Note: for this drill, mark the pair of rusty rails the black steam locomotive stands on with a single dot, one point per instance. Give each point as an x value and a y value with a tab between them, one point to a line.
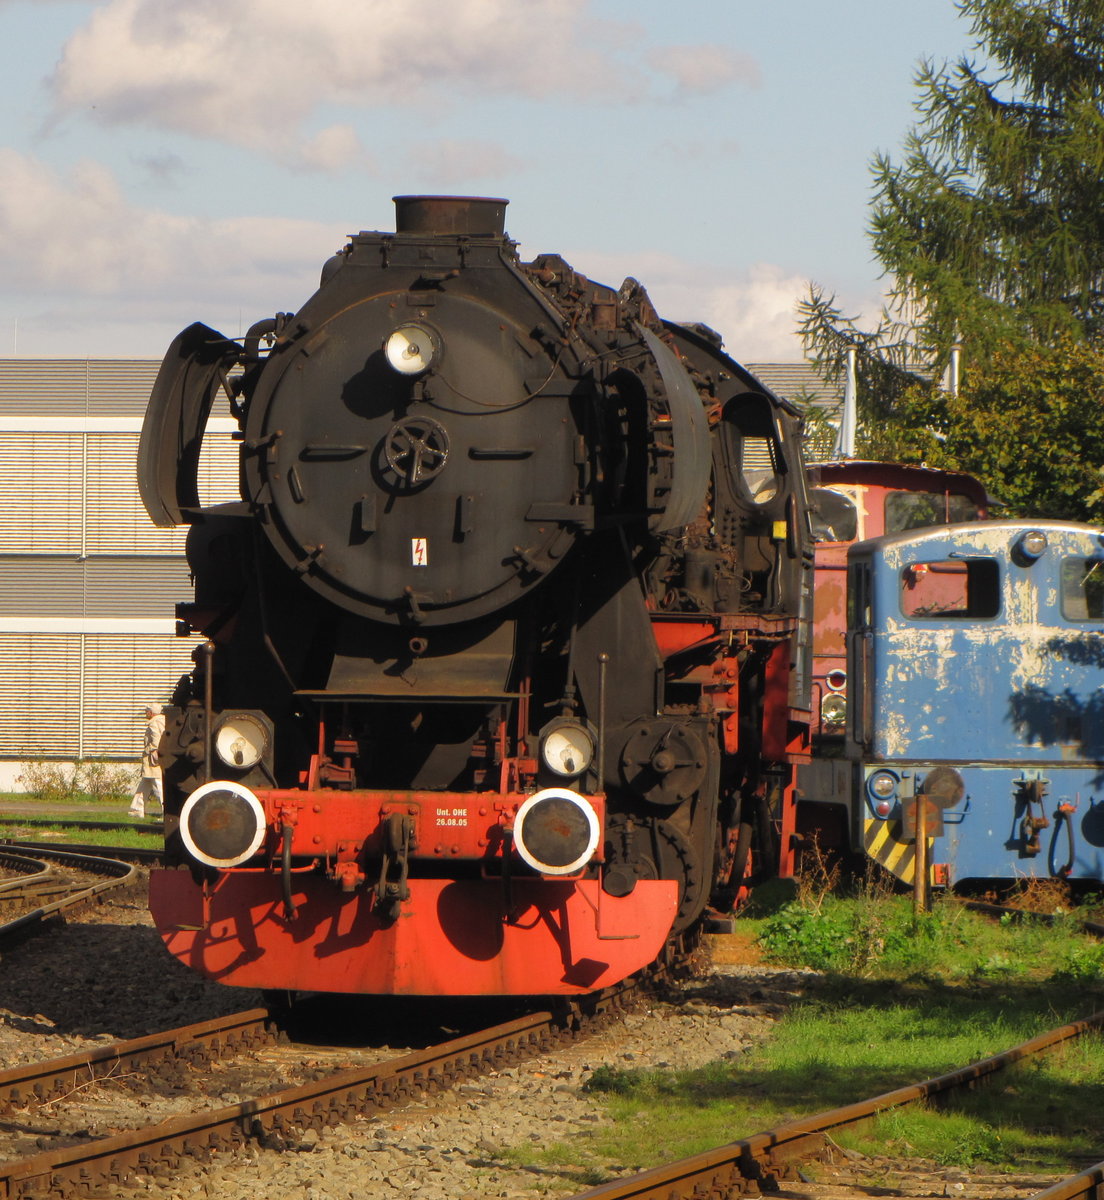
273	1120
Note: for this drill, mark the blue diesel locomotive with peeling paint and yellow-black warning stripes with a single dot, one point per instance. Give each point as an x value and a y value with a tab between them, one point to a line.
976	662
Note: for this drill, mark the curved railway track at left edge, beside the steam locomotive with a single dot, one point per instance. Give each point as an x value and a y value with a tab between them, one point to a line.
49	885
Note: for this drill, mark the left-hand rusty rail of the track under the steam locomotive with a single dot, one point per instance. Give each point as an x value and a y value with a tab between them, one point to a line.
199	1043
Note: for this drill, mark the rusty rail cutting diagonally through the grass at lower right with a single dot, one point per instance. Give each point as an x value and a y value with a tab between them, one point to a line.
740	1167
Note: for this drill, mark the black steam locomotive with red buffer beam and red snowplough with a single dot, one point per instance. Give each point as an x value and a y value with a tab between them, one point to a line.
506	643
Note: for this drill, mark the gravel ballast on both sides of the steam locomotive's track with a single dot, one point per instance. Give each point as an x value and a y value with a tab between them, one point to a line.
105	977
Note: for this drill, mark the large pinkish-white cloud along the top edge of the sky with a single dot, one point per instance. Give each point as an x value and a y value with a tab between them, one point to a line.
255	73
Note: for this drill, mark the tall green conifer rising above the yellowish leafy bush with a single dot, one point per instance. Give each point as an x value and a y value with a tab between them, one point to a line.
993	225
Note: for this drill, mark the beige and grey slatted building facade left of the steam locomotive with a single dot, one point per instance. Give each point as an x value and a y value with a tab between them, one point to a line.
88	585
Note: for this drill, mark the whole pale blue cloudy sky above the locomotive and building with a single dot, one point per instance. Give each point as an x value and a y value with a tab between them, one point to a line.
170	161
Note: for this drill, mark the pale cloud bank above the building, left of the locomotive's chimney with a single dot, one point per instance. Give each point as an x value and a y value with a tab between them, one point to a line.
80	256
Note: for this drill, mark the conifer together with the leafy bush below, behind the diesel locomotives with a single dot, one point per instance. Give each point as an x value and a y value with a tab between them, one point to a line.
991	230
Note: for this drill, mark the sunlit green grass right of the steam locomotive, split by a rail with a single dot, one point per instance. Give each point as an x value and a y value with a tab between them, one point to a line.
903	999
